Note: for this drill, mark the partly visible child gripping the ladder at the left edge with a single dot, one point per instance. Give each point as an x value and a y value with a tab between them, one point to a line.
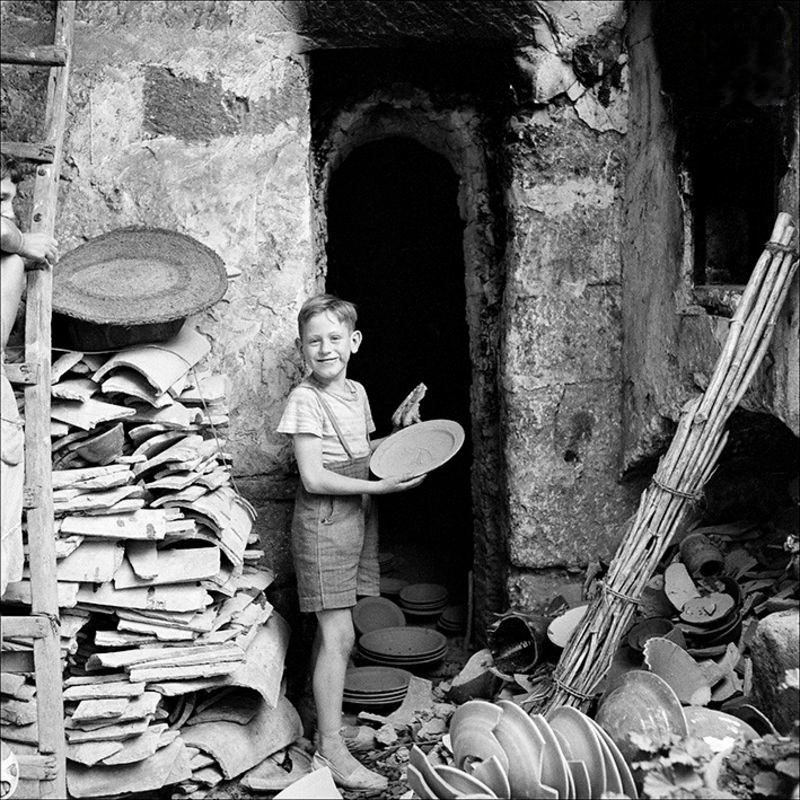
15	246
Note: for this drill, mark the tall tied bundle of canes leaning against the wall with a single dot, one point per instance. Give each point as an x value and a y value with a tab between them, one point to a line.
689	462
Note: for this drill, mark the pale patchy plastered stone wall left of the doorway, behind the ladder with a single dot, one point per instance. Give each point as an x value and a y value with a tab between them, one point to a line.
194	116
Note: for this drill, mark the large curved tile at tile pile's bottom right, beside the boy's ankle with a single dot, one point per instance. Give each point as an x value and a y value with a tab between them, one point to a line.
237	748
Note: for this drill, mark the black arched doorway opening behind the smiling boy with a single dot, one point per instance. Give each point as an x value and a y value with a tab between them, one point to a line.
395	250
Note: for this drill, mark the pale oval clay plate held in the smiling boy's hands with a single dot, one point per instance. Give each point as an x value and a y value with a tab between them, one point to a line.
417	449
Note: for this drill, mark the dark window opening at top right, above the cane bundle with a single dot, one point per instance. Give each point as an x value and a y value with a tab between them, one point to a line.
730	69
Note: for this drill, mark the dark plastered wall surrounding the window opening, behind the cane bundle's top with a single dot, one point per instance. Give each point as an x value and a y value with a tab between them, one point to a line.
669	354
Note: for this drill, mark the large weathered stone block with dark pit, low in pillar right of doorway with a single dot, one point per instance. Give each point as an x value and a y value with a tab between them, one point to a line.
565	504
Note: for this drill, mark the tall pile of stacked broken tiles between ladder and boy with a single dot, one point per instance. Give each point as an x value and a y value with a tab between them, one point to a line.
165	625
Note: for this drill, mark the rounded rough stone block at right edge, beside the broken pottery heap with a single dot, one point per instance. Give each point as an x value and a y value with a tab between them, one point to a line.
776	648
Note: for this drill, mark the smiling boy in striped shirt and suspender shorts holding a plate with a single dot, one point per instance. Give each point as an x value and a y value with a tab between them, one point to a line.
334	532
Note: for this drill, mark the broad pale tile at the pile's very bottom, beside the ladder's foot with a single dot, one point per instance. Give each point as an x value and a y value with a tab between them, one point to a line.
168	765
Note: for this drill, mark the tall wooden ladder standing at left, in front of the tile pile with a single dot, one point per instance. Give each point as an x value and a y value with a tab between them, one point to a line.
44	774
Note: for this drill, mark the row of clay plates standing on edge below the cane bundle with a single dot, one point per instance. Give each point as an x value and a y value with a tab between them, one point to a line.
514	754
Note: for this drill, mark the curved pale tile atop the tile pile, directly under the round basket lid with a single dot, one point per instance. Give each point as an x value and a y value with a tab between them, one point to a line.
161	365
